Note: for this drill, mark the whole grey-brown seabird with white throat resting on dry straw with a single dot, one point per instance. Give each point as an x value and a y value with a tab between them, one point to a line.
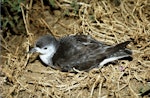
78	51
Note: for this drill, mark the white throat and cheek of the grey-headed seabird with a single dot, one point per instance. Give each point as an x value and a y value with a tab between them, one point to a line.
47	58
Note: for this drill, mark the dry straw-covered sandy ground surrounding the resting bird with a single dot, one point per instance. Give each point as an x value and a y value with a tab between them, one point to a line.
105	20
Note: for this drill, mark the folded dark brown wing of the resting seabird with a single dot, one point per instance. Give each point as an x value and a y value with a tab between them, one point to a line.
80	51
